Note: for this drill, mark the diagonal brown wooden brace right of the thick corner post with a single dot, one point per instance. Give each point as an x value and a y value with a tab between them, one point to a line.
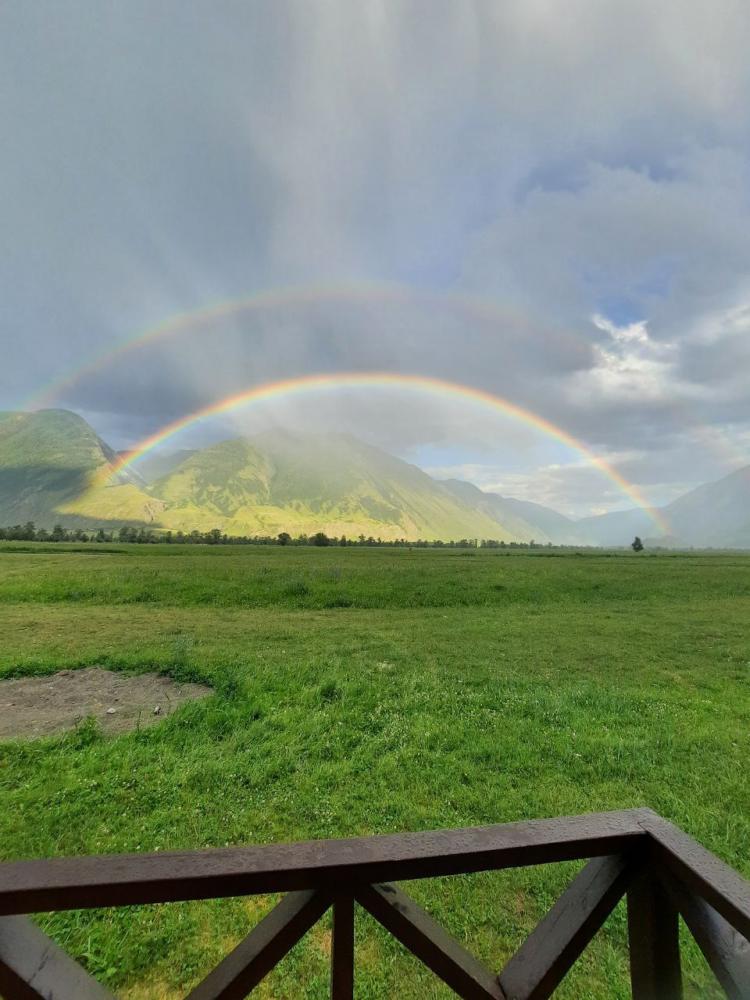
726	951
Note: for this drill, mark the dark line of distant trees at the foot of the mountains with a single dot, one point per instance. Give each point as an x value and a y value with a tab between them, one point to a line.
29	532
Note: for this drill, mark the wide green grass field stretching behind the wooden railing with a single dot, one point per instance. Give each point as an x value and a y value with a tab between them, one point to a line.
368	691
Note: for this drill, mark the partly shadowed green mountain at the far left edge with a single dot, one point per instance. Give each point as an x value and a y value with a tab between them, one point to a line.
48	462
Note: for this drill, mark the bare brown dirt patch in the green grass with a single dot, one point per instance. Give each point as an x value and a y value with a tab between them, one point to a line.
38	706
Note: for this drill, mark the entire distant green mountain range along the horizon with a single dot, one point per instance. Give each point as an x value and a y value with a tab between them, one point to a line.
302	483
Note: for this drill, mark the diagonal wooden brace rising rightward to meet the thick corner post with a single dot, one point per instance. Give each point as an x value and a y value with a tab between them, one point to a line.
547	954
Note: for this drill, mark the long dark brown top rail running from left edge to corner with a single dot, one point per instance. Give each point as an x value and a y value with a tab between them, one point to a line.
117	880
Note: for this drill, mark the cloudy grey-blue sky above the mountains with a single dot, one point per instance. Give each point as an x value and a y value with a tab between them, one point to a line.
545	201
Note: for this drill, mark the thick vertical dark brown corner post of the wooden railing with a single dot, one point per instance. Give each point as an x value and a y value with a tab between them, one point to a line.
653	928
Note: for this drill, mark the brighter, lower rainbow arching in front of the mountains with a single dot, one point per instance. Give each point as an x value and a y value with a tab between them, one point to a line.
379	380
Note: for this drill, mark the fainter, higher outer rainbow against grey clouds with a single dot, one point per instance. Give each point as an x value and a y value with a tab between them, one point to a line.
485	310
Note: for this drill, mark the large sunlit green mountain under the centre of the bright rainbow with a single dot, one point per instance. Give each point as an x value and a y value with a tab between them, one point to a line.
304	483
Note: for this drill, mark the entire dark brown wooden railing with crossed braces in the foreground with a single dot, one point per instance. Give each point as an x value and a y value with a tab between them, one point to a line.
662	871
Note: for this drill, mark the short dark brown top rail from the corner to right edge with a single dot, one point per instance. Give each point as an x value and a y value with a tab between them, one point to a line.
722	887
